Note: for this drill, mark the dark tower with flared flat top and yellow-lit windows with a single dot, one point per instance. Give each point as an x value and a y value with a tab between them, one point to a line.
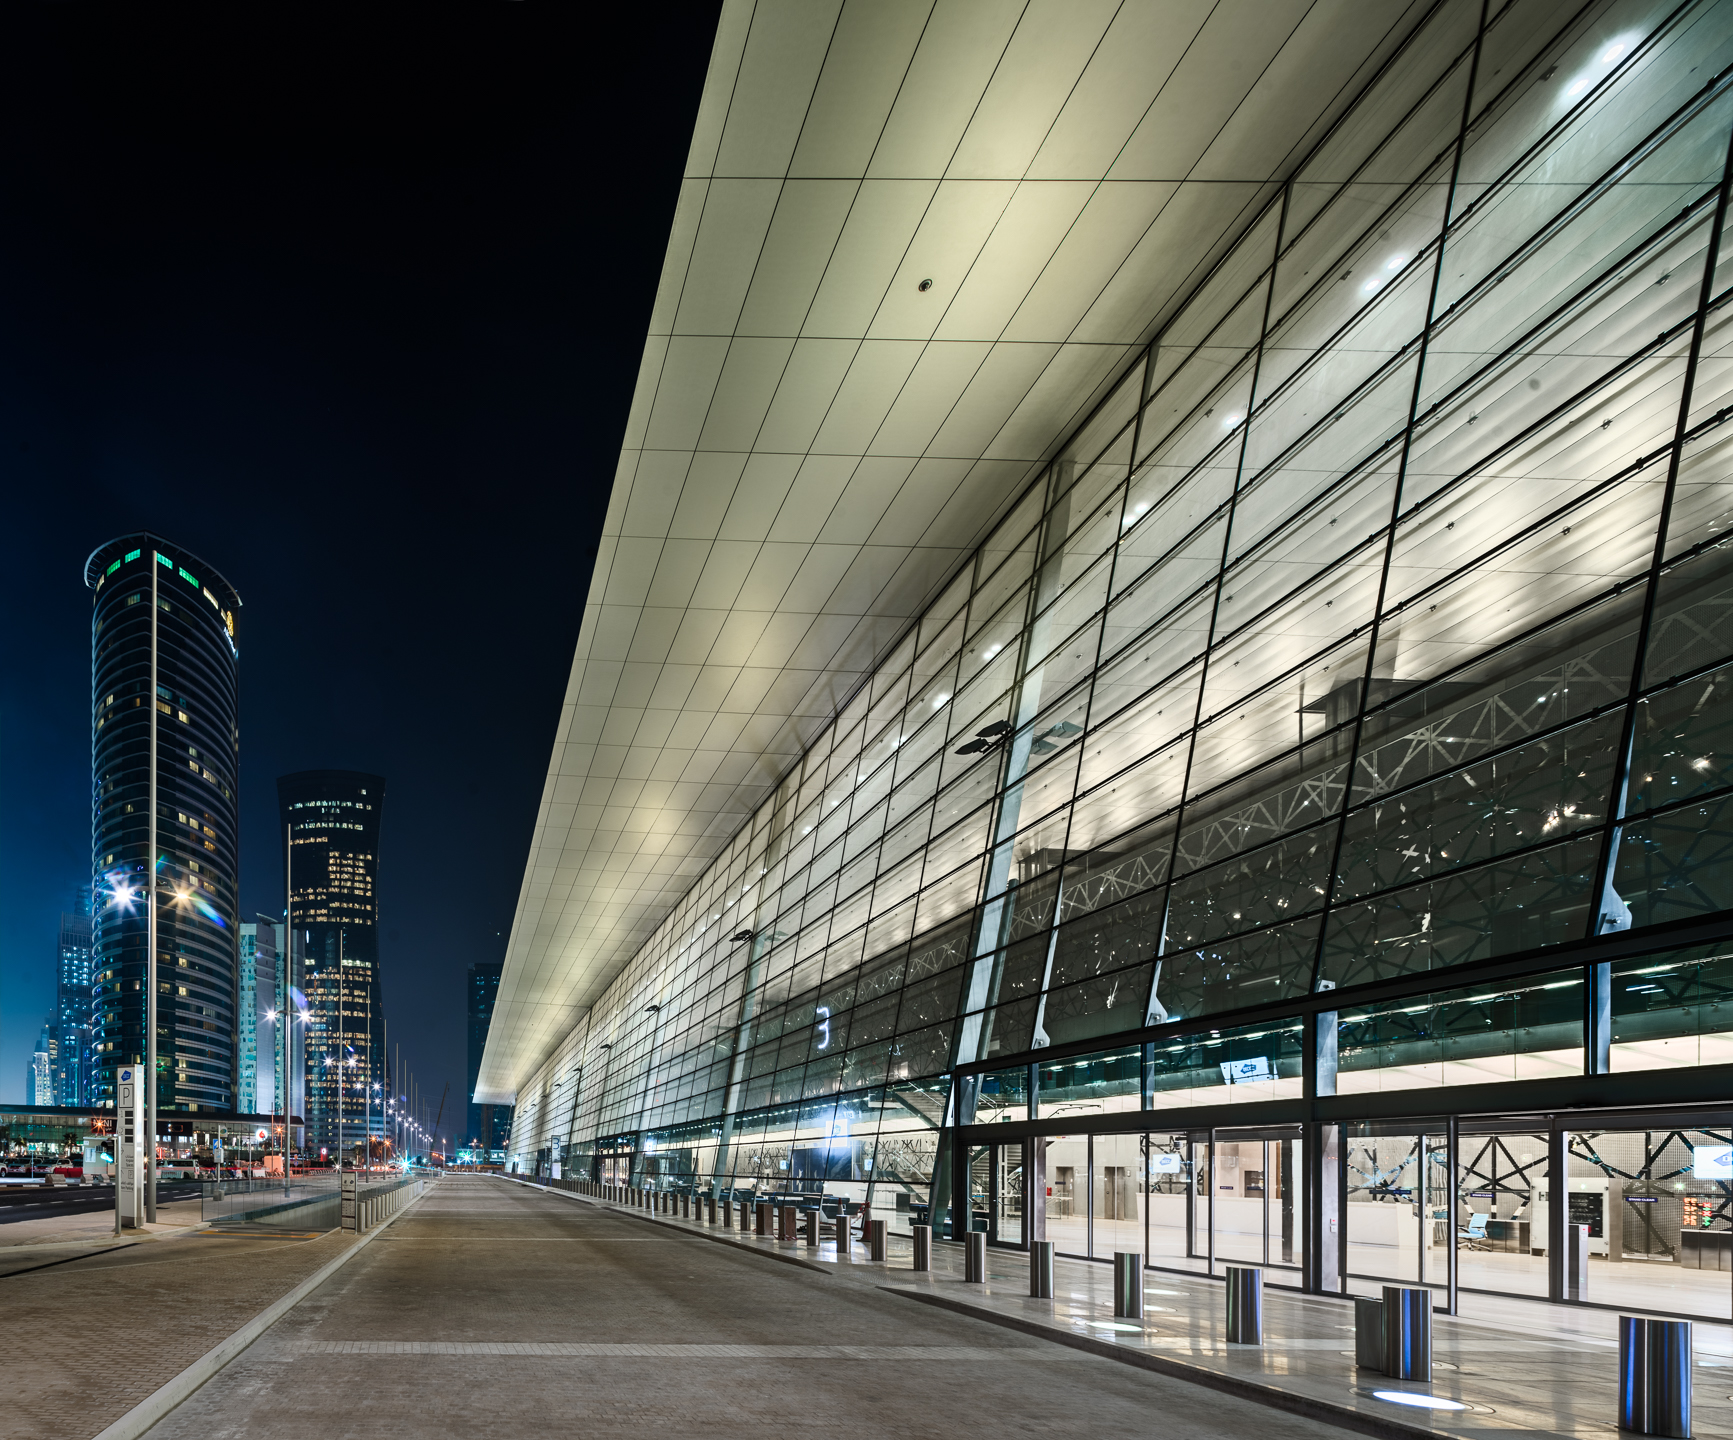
332	829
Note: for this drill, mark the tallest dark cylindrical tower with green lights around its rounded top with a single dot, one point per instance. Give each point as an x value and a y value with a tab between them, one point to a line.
166	737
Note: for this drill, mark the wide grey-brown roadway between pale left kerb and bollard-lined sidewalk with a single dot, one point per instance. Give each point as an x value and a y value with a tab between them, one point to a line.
490	1309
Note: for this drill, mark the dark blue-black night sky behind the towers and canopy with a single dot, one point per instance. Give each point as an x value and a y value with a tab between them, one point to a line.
349	301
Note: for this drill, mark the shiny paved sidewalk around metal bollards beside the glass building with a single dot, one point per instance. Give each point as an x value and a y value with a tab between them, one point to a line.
1516	1365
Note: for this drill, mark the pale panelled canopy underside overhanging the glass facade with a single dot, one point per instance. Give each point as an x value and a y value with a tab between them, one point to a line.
821	436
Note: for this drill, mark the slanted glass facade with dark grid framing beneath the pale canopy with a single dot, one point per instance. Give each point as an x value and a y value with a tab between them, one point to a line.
1337	717
